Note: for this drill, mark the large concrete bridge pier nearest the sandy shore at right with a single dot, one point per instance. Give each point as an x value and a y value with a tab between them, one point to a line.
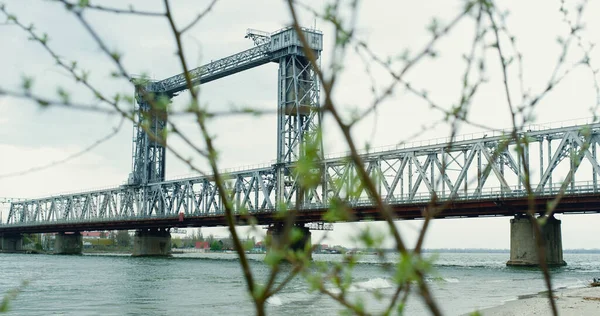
523	244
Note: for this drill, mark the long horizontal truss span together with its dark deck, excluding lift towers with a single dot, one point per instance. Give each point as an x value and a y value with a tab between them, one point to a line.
473	176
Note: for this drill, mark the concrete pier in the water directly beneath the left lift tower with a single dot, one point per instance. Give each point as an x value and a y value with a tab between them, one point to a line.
152	242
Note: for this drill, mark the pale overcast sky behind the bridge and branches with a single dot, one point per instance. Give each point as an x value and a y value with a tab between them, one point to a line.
31	136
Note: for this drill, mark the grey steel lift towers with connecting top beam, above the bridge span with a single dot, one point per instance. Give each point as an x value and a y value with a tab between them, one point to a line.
298	114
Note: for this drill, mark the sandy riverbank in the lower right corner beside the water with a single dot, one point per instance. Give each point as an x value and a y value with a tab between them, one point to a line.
569	302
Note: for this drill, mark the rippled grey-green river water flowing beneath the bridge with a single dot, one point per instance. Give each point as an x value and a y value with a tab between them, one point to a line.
212	284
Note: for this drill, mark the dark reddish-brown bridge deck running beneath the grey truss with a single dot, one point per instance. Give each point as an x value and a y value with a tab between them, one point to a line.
581	203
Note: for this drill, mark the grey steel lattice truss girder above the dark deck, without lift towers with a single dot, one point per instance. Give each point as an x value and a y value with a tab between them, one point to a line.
467	170
